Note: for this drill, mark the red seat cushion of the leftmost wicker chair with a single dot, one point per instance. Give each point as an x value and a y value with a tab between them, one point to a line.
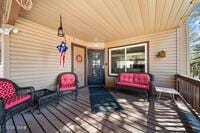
16	100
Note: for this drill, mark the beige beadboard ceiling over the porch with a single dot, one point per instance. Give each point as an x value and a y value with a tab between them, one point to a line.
109	20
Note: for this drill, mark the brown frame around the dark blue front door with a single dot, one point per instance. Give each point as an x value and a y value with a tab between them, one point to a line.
102	49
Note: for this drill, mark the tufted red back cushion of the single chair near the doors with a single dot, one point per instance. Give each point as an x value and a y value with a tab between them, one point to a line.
68	79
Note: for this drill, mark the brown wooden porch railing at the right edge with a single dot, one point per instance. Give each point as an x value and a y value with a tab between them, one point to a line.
189	89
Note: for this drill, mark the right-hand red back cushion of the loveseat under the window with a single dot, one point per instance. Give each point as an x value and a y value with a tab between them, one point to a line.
141	79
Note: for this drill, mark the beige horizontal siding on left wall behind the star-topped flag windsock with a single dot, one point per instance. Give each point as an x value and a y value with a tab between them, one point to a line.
33	56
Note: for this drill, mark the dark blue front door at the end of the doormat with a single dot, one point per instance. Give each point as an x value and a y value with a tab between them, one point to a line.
96	74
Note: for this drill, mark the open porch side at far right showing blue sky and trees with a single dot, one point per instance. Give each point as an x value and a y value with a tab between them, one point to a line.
194	42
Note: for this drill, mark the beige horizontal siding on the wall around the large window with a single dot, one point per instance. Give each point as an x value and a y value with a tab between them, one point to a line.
164	69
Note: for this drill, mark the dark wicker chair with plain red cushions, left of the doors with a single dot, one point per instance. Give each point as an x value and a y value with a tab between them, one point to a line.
67	81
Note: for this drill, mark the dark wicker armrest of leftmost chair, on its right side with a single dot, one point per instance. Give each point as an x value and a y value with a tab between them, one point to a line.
26	90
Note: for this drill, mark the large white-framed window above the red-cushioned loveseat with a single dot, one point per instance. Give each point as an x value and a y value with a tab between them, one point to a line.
130	58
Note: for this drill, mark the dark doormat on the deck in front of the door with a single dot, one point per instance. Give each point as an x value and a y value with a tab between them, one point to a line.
102	101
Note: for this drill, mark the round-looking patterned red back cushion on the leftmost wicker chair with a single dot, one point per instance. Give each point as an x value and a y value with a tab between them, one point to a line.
6	89
